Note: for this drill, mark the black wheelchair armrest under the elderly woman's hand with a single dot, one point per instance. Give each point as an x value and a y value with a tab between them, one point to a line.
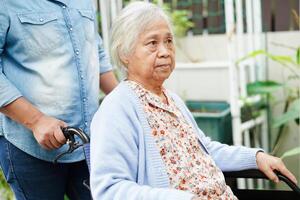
255	173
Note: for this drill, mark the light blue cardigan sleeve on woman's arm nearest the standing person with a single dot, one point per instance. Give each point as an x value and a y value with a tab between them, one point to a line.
114	156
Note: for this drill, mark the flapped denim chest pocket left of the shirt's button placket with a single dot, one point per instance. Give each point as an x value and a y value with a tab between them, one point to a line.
41	32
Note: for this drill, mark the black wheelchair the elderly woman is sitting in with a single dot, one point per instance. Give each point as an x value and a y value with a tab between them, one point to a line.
77	138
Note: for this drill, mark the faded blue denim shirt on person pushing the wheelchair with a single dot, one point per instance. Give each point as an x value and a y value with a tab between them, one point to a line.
51	54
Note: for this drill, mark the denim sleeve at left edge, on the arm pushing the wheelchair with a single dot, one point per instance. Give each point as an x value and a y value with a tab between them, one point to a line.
8	92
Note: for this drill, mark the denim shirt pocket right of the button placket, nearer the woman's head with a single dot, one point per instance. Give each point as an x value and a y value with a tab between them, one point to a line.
88	24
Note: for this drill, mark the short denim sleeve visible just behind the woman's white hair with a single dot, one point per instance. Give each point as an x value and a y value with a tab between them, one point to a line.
104	60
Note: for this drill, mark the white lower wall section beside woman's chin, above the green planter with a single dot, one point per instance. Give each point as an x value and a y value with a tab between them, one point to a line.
201	81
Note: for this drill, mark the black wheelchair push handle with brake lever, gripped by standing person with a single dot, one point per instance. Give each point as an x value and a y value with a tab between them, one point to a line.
70	133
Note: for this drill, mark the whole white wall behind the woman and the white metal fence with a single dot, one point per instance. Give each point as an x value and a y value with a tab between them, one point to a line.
208	79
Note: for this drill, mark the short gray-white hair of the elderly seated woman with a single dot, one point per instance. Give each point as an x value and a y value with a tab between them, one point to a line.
129	24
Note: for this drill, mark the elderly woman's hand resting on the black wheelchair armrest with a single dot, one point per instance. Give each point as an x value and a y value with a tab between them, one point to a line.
267	164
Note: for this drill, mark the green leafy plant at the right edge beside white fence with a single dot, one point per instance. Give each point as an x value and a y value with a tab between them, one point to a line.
292	99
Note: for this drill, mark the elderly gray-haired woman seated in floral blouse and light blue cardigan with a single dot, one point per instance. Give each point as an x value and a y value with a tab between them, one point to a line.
145	143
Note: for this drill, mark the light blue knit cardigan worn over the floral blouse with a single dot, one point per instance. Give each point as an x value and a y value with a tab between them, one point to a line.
125	162
